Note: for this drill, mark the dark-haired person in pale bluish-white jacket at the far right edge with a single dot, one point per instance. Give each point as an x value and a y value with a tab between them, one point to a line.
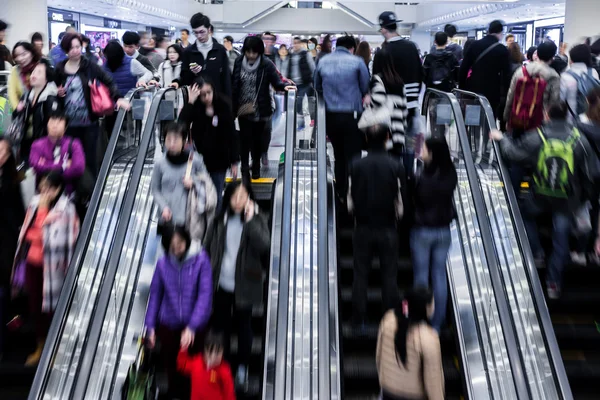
581	64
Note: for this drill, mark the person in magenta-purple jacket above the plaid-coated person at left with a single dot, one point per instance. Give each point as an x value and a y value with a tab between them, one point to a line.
55	152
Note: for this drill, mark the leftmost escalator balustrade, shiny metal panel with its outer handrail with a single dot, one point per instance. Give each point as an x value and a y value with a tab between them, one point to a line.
94	246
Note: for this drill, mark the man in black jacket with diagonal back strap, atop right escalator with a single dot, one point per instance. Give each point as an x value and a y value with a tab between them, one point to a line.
490	67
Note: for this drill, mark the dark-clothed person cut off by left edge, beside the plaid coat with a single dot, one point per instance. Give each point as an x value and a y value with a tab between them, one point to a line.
12	214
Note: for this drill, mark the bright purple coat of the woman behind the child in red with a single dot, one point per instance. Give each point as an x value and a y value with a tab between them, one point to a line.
181	294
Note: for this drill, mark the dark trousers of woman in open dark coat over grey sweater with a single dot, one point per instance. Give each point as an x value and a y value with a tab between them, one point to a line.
223	310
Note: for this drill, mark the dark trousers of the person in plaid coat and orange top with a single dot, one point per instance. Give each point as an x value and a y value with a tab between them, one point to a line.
34	282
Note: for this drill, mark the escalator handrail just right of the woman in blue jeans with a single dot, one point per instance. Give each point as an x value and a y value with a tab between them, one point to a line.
506	319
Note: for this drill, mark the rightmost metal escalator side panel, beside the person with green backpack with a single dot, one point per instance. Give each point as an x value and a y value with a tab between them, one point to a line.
544	366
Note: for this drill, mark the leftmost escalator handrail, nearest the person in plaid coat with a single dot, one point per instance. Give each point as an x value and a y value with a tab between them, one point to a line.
60	313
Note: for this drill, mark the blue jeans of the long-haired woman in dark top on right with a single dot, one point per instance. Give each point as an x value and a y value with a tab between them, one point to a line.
429	247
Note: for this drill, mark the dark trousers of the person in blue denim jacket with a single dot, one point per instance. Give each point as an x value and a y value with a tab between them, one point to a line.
347	140
